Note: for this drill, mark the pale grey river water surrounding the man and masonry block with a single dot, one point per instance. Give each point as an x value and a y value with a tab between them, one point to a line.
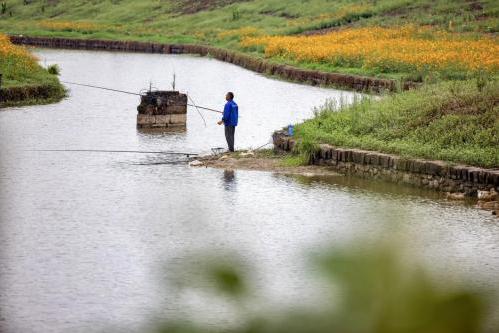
86	237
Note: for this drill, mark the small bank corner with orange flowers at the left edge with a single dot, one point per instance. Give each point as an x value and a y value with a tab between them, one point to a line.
23	78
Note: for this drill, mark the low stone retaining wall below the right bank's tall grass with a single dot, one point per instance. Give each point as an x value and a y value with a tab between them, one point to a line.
436	175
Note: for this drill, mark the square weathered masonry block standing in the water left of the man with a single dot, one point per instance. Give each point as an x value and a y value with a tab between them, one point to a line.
162	109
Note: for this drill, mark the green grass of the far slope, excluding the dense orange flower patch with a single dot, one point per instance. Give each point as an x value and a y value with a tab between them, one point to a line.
166	21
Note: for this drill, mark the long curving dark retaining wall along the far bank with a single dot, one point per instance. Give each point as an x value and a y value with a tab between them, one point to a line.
358	83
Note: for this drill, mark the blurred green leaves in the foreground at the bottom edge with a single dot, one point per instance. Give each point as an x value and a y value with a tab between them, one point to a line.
374	289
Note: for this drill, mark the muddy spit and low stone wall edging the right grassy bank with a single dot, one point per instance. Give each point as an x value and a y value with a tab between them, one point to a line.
479	186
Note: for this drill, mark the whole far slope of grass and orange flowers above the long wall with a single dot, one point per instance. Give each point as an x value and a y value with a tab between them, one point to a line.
229	23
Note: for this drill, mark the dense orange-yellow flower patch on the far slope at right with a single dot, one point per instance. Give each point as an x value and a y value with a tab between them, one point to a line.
386	49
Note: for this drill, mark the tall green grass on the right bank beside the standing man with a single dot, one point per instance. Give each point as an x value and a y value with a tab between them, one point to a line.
451	121
